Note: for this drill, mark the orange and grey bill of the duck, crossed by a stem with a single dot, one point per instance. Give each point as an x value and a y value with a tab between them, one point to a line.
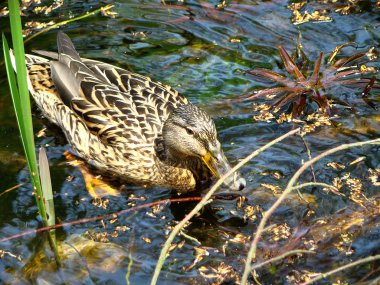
218	165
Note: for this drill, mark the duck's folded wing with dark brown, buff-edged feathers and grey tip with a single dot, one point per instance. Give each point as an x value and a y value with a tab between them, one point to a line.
118	106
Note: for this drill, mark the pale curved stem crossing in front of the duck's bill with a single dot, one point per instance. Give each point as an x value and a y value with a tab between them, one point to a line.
205	201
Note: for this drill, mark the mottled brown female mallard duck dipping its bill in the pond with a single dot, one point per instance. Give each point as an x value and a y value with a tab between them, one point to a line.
125	123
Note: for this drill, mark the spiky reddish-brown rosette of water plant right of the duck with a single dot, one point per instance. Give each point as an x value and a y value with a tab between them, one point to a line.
306	82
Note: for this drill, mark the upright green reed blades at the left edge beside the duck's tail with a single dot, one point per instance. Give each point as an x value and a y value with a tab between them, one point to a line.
20	96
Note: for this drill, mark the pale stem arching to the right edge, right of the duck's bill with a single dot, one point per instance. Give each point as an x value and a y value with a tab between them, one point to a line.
289	188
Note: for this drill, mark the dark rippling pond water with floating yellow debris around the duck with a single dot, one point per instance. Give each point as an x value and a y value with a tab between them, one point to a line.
204	52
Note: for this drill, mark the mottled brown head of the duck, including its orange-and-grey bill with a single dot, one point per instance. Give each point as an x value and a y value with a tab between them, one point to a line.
190	133
